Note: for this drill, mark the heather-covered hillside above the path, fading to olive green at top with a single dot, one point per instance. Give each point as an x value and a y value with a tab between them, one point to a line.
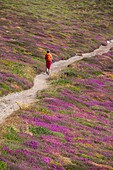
29	28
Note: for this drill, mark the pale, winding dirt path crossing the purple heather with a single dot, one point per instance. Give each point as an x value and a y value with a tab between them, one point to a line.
15	101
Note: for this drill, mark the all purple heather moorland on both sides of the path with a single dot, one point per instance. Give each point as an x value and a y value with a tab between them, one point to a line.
70	127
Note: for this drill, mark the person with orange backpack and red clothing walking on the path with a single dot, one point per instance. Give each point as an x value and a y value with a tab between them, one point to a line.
48	58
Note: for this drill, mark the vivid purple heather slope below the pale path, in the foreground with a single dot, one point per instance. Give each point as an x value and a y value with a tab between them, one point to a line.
69	127
